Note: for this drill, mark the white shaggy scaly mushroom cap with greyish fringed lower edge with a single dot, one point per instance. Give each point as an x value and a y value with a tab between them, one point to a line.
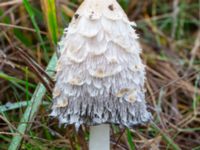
100	76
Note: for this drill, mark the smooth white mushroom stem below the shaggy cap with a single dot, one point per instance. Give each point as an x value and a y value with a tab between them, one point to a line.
99	137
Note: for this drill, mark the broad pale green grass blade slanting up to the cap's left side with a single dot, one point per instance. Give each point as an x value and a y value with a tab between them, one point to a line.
31	111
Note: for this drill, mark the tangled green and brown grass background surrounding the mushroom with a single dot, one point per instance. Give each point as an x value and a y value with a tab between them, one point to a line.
170	37
